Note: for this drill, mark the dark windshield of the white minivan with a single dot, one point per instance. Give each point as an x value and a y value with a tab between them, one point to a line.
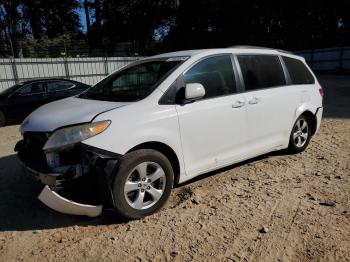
133	83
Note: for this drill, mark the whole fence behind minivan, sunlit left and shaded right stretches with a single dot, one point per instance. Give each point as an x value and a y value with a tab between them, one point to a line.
90	70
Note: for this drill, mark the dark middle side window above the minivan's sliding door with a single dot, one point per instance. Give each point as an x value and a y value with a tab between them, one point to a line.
261	71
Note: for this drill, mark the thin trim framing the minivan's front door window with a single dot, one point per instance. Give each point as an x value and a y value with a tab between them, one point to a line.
180	78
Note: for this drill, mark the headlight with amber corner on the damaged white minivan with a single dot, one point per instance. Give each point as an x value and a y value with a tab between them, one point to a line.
68	136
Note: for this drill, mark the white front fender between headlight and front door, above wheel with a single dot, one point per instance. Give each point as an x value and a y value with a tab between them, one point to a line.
137	125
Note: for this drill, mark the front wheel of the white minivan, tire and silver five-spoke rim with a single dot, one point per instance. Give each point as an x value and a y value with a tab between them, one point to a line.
135	198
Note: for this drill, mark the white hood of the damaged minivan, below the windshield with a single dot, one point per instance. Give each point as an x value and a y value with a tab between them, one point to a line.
65	112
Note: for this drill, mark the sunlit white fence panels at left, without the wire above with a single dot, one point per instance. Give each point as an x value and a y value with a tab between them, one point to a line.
88	70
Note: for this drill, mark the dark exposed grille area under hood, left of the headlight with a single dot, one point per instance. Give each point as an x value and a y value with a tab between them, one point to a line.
32	151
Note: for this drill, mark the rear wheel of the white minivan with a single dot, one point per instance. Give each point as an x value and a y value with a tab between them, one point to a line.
300	136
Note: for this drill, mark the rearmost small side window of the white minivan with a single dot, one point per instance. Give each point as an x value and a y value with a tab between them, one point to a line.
298	72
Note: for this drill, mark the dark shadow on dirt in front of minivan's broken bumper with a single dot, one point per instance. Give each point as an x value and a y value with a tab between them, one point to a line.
21	210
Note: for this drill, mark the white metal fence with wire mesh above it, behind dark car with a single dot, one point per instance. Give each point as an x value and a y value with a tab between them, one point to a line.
28	59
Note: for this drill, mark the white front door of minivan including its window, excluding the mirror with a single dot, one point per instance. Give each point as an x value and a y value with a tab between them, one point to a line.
213	129
